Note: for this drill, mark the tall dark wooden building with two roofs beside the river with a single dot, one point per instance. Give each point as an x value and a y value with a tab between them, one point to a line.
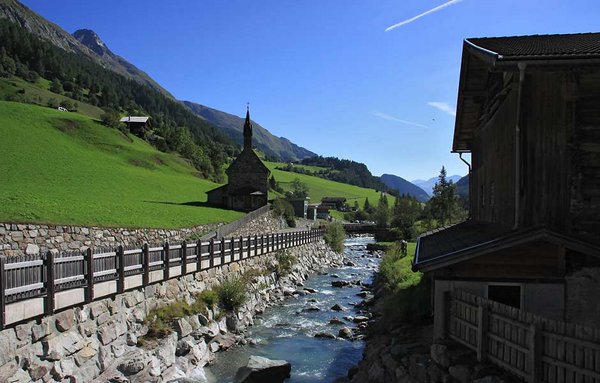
528	112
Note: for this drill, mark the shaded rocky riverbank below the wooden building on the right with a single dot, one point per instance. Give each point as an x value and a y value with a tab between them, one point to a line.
404	353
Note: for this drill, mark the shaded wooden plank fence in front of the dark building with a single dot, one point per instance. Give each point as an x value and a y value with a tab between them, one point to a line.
534	348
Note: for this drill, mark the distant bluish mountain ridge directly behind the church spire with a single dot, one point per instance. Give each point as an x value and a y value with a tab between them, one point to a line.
273	147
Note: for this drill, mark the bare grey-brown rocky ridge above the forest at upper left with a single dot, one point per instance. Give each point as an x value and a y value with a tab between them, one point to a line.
34	23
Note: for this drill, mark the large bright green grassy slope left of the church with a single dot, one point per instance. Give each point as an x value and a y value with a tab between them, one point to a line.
60	167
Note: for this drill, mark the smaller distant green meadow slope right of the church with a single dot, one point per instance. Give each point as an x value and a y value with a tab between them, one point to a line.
319	187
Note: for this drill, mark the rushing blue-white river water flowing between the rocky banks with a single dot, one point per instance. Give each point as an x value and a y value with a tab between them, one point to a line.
286	332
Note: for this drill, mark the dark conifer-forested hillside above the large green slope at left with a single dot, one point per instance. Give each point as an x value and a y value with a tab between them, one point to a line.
175	128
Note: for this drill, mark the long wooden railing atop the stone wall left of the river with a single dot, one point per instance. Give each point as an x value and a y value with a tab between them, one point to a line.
31	286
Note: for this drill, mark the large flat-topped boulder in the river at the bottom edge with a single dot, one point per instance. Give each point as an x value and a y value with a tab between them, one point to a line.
263	370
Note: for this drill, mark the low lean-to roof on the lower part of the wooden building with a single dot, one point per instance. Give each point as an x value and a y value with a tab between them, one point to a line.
472	239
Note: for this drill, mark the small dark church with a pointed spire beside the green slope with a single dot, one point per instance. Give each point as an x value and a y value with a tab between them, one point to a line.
248	179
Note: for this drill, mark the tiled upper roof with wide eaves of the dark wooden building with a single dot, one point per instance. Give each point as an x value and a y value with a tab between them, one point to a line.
484	55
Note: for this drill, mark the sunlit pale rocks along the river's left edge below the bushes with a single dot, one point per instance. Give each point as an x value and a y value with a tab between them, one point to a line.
184	353
